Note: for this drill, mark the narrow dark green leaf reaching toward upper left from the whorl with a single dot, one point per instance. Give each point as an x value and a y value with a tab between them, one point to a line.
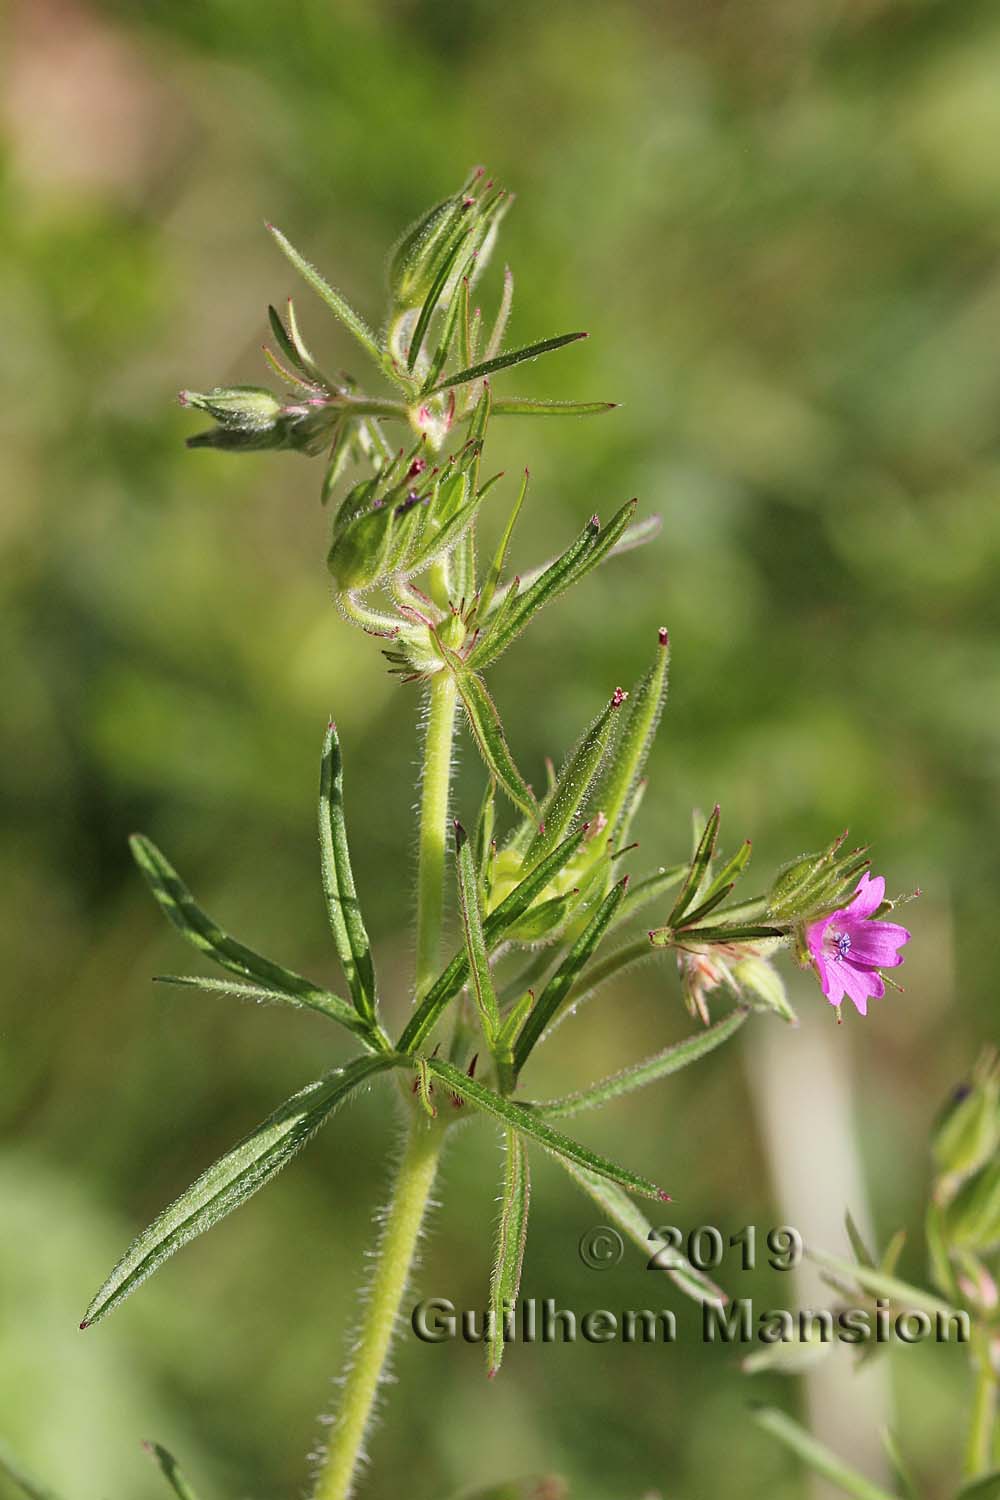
181	908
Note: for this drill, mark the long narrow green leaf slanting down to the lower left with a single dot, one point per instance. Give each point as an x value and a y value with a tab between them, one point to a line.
233	1180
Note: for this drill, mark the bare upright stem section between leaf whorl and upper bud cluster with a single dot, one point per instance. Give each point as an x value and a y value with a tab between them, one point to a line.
434	827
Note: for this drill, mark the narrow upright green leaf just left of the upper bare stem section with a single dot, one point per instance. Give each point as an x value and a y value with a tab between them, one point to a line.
344	911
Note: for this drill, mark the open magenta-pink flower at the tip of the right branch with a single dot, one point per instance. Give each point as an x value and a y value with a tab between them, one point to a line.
851	947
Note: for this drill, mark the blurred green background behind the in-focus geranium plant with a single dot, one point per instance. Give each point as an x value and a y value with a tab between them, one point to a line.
782	227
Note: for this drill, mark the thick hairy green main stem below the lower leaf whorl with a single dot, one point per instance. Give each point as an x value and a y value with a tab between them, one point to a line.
404	1220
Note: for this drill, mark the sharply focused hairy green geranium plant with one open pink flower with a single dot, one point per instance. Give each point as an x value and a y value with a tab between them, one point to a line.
548	908
